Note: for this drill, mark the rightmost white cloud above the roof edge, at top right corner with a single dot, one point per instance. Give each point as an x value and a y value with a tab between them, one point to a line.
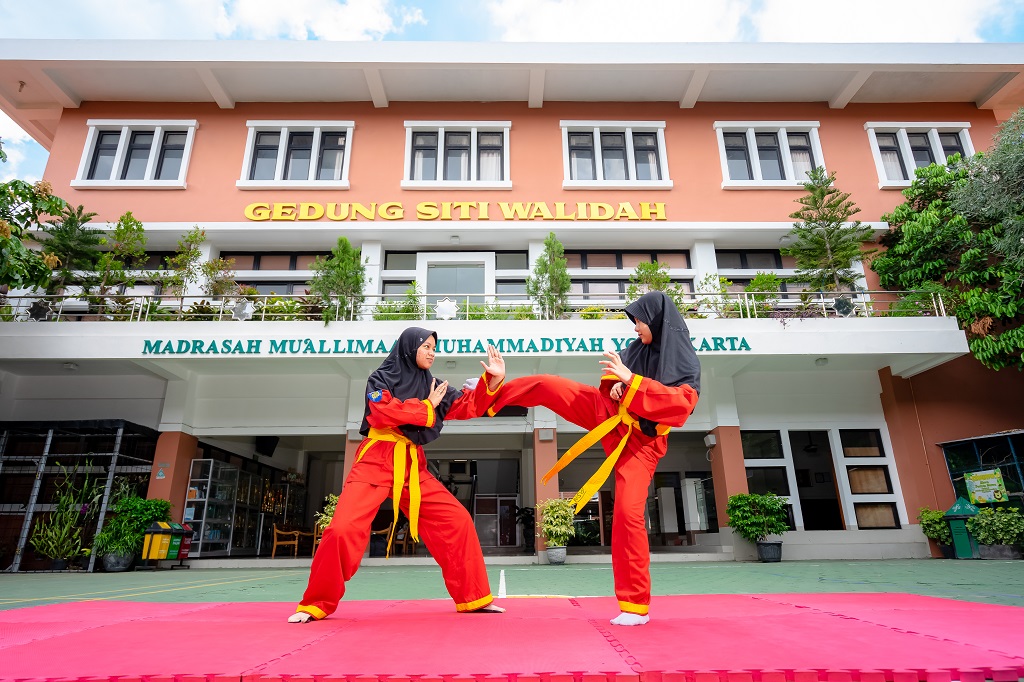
879	21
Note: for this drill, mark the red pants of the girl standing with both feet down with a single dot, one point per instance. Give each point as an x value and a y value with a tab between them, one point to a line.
446	529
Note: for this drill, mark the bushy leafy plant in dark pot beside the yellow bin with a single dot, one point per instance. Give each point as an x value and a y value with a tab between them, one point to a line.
122	536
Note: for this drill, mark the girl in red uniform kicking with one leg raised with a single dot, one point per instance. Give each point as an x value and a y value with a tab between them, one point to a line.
653	387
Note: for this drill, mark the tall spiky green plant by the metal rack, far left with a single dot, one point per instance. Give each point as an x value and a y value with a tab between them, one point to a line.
59	536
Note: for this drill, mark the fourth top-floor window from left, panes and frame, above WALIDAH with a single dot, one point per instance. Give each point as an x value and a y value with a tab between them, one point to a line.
615	155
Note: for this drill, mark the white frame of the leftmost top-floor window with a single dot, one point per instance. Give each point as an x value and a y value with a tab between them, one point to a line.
126	129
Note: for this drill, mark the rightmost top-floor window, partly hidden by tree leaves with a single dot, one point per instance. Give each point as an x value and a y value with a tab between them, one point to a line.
899	149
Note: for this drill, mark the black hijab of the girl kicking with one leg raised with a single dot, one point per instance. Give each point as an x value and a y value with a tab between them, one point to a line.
670	358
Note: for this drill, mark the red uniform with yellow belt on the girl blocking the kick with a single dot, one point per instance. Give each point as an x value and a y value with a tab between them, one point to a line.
382	462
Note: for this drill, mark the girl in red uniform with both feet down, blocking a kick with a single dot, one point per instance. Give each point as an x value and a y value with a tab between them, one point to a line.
406	409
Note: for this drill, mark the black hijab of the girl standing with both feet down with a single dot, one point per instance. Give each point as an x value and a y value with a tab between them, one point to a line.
400	375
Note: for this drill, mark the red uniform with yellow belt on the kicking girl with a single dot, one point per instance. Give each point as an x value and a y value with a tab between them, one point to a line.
634	460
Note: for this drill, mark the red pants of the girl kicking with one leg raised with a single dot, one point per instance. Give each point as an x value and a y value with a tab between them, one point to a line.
585	407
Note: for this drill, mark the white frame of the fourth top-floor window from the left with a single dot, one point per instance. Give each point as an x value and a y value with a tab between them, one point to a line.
627	127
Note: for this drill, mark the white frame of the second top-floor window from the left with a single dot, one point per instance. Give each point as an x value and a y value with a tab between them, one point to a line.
318	129
